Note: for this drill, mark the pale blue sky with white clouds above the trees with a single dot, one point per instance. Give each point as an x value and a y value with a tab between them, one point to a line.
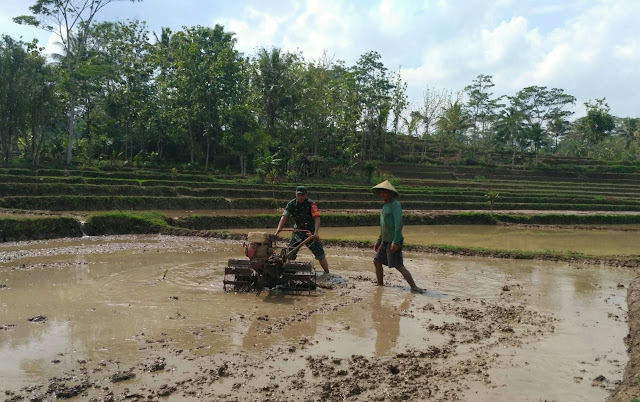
589	48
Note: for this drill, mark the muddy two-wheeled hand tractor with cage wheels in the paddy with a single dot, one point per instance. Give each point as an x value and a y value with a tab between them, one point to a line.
265	268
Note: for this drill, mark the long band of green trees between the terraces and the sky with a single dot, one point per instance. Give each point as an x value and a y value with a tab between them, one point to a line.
115	96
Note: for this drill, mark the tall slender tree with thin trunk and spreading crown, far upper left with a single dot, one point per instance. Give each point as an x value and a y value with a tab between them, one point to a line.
70	20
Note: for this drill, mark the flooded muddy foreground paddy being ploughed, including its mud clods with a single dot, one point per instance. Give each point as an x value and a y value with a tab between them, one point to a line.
143	317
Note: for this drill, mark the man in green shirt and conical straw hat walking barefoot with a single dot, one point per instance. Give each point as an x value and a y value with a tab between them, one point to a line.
388	248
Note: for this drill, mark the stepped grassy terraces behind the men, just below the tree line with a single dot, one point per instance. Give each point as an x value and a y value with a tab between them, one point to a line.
421	189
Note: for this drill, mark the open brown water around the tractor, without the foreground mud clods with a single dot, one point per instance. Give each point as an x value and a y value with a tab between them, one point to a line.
105	299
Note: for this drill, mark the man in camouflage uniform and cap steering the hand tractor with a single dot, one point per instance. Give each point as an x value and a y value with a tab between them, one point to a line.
306	216
